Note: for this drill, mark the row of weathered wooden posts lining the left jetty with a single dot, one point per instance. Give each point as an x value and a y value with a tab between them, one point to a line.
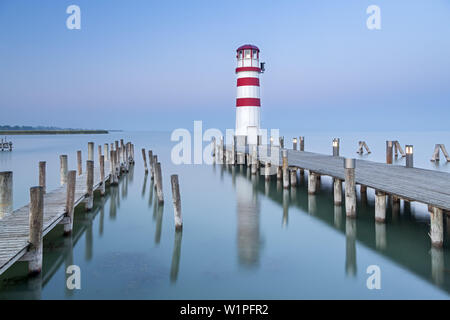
121	156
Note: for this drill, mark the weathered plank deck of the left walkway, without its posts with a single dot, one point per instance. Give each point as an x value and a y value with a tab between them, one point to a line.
14	227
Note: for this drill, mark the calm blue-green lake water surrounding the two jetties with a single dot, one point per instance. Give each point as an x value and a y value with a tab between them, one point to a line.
242	237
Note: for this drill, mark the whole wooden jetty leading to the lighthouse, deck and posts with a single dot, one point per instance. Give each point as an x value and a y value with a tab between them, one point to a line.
389	181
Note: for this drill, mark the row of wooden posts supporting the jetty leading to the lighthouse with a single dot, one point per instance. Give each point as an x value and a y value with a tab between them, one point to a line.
288	175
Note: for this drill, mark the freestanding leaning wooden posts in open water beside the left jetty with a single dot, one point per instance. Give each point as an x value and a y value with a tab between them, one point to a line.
156	175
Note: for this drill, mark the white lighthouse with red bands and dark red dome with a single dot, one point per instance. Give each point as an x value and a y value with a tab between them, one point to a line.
248	102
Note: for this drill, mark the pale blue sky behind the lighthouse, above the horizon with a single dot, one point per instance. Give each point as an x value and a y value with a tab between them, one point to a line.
146	65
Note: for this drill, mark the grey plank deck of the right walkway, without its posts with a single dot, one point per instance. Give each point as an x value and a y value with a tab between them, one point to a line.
414	184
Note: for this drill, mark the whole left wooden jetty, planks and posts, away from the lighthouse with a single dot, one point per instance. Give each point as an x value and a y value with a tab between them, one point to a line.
22	232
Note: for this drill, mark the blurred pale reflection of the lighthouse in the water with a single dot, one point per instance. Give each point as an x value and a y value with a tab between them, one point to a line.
248	235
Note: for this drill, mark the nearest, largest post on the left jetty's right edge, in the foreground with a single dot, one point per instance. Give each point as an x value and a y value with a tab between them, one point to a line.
36	222
